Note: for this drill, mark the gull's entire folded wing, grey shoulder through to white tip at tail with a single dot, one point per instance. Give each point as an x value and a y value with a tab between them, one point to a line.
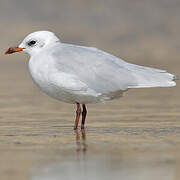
105	73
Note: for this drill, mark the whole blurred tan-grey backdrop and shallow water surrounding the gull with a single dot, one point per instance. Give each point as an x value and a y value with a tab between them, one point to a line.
136	137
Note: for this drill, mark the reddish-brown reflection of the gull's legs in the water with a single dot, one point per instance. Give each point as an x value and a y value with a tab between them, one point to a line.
81	140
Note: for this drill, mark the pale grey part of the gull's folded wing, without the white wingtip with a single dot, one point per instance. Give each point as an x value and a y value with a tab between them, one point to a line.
100	71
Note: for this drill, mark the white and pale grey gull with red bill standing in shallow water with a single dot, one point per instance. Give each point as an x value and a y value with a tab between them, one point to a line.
82	75
